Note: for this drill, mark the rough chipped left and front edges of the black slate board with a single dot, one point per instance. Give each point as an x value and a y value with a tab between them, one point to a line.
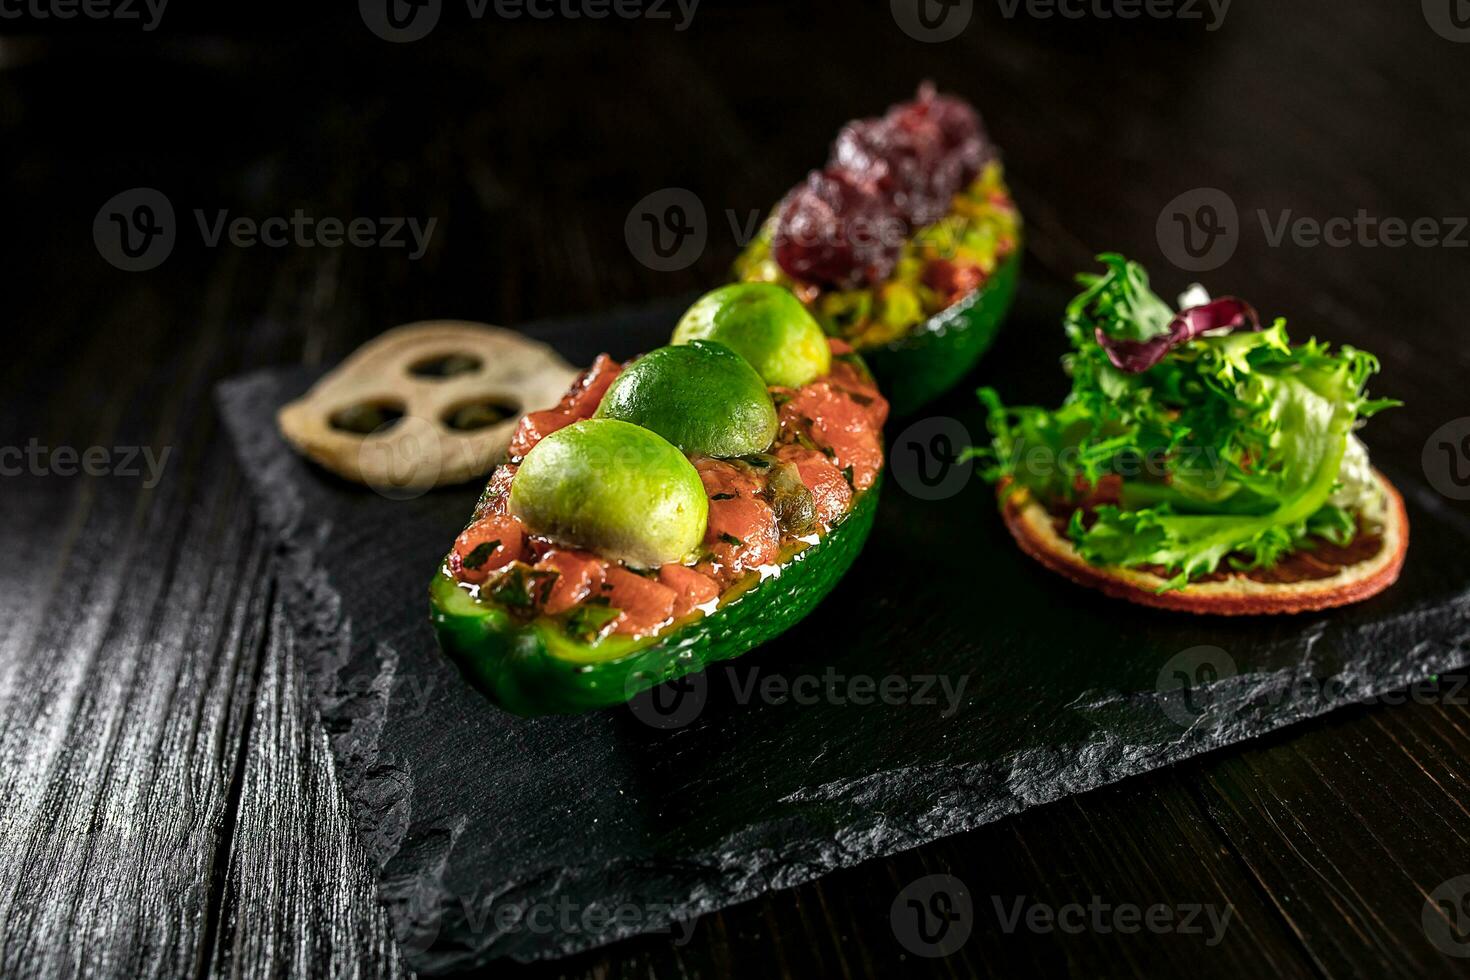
749	865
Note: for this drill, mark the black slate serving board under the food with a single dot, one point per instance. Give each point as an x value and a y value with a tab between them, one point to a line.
501	837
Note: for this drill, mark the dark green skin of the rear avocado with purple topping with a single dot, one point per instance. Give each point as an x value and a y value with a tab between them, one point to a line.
927	362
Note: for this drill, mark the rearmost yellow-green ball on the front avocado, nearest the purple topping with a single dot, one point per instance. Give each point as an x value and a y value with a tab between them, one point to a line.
767	325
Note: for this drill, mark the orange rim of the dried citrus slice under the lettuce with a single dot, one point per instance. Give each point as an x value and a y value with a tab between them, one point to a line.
1237	594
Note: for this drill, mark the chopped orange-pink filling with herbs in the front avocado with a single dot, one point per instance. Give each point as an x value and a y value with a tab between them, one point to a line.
831	440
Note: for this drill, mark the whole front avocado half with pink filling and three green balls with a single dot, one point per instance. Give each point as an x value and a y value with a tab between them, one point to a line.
668	514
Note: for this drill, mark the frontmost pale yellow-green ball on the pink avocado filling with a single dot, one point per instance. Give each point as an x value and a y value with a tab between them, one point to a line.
614	489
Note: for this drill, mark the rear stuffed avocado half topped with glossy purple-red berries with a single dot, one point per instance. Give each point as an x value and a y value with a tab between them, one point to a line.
906	246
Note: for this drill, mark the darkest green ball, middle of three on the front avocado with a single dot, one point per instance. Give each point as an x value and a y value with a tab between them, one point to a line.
703	397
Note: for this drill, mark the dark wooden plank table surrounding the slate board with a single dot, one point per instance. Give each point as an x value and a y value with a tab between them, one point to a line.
167	801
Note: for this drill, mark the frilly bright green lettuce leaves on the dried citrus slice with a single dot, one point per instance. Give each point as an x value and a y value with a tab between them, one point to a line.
1227	452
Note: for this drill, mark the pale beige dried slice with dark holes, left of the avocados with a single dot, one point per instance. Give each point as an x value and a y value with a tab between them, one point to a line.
426	405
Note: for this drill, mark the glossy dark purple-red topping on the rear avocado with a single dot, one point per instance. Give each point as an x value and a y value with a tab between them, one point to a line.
886	177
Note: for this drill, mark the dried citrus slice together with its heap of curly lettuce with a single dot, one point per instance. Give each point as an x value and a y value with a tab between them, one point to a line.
1202	462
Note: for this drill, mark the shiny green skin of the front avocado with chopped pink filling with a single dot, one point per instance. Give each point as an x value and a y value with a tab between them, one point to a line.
539	669
